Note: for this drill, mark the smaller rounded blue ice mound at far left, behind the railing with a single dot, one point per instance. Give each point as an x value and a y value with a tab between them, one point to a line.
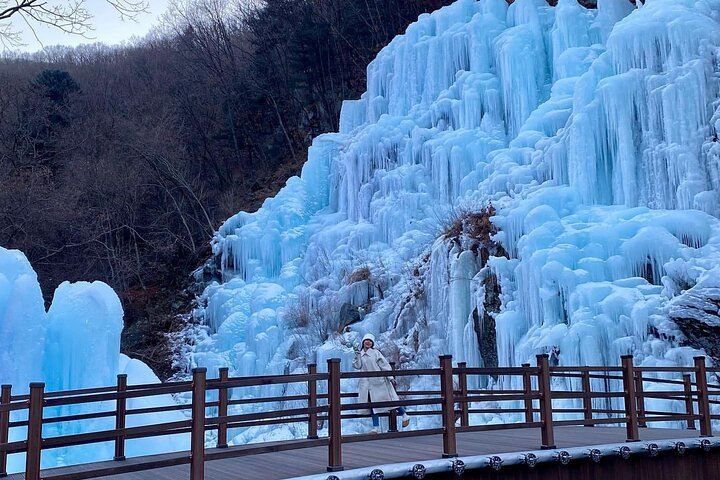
74	345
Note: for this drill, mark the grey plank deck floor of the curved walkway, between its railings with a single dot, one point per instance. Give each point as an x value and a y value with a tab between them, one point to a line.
313	460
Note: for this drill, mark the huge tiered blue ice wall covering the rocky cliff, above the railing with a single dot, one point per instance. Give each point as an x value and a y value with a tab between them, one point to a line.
592	132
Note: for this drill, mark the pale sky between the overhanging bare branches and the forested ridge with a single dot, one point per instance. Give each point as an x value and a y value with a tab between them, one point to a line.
109	28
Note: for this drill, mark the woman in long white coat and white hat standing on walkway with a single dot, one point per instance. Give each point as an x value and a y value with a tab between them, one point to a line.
376	389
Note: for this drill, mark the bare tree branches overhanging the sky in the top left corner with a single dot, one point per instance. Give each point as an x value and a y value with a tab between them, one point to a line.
69	16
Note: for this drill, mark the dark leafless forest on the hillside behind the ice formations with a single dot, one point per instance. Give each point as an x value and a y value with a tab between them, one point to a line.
118	163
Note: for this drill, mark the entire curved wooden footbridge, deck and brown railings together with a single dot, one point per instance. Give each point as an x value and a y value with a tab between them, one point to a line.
545	420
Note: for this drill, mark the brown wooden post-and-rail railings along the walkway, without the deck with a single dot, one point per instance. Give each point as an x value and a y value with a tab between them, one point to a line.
528	407
